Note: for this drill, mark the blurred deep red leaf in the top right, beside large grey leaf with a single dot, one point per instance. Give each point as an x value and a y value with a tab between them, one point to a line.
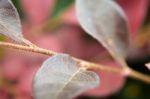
136	12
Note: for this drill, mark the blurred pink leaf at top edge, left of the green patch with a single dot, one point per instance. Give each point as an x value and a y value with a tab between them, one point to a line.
37	11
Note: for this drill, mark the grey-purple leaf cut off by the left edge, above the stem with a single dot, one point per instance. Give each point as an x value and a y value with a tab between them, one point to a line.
10	24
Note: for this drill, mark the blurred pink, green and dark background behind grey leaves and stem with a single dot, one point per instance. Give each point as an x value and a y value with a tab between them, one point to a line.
52	24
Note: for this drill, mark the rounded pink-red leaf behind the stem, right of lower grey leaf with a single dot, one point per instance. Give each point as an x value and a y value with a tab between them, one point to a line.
110	83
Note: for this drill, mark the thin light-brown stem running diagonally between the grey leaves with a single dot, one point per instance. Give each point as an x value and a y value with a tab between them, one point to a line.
88	65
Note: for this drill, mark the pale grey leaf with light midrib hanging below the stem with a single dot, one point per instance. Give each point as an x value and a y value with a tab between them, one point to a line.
60	77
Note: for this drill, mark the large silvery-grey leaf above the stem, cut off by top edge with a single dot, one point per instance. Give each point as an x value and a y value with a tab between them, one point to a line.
106	22
